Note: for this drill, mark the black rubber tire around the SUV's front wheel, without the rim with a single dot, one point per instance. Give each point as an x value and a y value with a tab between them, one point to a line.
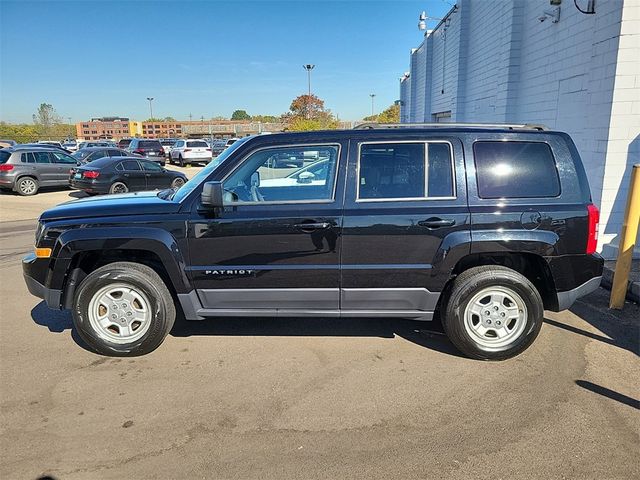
152	338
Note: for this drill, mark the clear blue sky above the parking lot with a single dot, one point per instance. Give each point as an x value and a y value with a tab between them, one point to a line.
207	58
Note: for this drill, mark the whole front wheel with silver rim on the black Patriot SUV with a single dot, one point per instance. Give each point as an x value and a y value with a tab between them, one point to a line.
145	303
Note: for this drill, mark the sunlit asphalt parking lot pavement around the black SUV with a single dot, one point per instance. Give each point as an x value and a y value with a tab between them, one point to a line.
310	398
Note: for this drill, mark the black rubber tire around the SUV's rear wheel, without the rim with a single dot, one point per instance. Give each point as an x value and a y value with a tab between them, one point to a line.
460	299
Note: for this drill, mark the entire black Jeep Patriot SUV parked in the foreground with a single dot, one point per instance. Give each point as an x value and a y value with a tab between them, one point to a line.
481	226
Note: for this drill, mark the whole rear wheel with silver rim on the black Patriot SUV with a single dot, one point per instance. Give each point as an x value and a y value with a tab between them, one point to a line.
515	313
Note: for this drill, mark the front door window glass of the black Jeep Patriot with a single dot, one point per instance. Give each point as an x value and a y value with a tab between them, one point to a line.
280	175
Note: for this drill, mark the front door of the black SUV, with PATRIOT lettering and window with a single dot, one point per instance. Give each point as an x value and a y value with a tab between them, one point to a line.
275	248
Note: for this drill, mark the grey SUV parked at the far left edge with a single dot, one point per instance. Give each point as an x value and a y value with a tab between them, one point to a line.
26	169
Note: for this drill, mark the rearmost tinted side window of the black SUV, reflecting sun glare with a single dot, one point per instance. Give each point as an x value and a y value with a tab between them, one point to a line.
515	170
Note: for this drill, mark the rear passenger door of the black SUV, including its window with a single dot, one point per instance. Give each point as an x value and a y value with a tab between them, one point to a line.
405	207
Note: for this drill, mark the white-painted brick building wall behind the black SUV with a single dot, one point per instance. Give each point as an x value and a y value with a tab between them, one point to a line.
535	61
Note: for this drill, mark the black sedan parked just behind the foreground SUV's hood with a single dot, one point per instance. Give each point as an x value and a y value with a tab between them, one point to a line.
122	175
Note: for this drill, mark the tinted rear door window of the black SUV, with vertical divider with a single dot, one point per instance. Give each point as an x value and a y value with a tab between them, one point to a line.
405	171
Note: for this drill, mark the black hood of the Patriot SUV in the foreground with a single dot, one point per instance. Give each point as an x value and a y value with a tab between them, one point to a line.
138	203
